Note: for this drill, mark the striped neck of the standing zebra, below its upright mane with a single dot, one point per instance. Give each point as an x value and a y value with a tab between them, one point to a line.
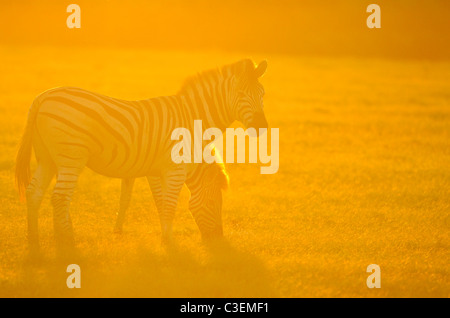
207	96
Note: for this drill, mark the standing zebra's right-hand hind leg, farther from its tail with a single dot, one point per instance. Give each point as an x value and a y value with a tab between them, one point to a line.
66	181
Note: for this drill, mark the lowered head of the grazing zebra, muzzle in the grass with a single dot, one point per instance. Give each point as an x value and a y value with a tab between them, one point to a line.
205	203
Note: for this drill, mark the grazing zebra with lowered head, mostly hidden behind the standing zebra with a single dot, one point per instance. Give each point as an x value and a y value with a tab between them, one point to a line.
205	183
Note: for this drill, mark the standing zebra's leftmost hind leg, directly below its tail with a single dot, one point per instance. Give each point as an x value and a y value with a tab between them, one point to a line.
35	192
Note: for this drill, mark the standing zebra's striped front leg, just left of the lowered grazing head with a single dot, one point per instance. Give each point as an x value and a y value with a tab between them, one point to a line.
172	182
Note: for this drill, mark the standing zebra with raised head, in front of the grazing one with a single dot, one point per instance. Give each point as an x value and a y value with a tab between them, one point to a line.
71	128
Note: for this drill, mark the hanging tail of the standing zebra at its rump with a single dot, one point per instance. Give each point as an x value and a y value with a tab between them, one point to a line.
23	173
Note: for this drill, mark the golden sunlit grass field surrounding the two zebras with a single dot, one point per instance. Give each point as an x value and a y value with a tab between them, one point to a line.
364	178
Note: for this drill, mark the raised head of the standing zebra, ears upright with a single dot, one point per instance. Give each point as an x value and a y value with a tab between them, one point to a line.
248	107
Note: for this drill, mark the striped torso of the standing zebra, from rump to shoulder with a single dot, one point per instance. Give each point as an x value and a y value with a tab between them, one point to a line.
114	137
